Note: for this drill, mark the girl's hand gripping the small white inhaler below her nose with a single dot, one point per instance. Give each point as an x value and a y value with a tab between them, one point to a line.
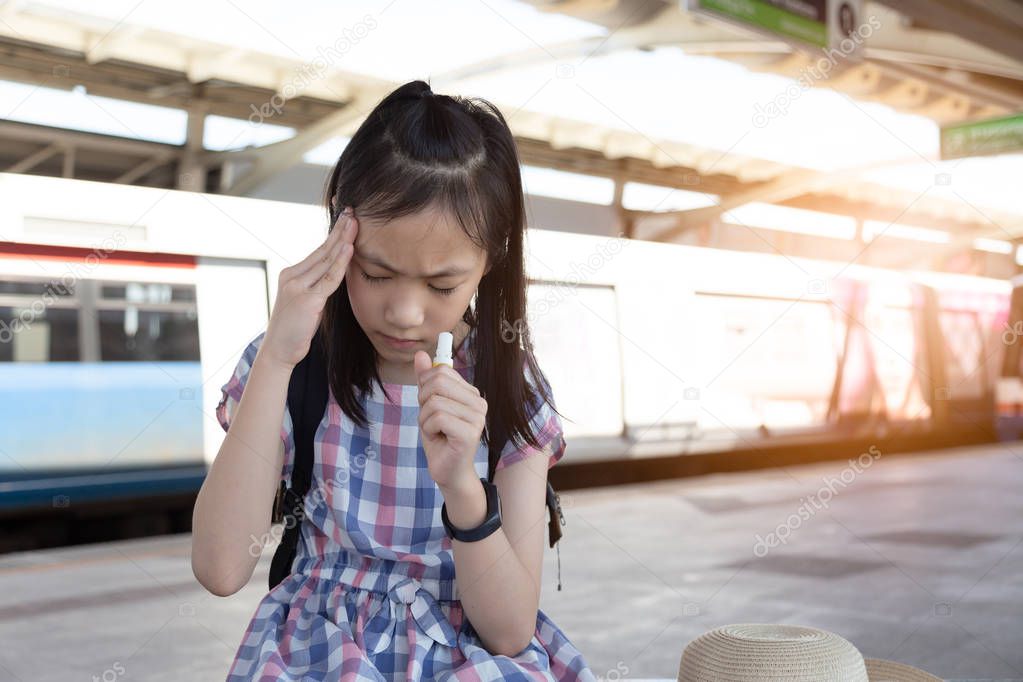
453	418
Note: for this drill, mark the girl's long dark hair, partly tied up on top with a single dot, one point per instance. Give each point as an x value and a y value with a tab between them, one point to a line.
416	151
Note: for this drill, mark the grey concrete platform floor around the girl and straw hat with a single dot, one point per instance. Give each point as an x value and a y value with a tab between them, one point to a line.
916	560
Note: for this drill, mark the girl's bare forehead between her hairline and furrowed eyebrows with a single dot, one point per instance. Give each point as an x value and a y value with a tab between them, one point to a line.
417	244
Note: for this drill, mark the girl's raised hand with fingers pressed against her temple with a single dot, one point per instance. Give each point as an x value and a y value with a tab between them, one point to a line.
303	290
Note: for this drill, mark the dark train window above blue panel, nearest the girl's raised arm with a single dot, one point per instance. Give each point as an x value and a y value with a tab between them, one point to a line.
139	335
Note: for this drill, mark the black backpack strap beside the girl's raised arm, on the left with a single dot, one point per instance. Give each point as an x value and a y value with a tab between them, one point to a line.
307	396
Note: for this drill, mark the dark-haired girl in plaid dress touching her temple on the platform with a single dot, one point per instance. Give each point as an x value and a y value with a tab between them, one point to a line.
428	215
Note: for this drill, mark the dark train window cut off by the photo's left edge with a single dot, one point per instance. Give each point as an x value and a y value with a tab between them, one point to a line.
35	334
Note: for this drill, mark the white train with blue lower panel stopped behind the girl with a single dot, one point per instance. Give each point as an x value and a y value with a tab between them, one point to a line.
124	310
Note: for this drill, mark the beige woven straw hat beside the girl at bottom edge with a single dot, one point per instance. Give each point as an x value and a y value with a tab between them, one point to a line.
749	652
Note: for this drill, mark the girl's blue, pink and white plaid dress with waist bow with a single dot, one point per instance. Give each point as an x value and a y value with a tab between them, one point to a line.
373	594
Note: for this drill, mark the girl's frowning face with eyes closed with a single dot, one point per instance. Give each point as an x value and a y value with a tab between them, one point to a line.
412	279
